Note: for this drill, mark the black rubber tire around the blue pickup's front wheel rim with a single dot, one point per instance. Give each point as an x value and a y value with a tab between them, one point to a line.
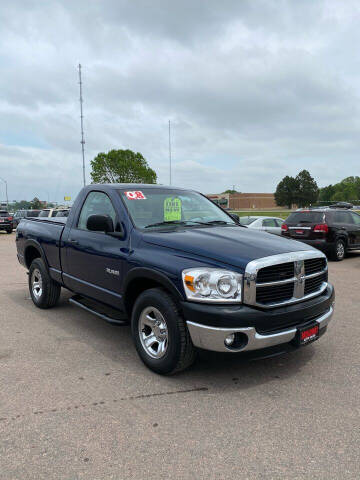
180	352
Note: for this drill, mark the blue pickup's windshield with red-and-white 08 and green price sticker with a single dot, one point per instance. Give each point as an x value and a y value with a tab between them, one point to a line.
155	208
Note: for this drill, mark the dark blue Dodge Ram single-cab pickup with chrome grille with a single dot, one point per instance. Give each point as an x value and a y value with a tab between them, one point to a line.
182	271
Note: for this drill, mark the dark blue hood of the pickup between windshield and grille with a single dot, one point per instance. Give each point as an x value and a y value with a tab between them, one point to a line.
232	245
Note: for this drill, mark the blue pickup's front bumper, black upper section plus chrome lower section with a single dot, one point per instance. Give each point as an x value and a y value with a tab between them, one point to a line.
255	329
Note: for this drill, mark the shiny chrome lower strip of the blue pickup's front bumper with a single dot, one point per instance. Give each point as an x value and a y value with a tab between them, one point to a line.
212	338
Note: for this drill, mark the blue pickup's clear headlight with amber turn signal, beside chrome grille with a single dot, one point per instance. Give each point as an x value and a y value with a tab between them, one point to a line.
212	285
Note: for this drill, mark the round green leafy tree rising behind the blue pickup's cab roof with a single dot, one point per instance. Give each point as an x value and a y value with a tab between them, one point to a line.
121	166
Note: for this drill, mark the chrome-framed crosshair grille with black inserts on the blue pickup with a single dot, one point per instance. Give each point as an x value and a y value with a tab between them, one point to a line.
285	279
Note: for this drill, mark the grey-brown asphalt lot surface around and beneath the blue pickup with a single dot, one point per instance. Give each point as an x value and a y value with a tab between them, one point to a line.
76	402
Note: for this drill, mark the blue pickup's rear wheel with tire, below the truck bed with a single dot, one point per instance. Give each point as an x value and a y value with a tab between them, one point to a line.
47	293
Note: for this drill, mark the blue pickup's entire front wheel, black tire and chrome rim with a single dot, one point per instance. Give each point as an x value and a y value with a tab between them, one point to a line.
160	334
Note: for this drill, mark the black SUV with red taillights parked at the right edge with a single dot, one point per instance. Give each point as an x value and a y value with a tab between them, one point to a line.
335	231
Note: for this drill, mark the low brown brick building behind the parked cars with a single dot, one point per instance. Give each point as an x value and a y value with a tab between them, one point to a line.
244	201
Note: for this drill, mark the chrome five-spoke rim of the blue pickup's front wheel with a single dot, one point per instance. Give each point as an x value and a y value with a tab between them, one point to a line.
153	332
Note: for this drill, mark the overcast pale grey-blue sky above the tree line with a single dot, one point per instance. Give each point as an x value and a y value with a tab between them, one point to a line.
255	90
